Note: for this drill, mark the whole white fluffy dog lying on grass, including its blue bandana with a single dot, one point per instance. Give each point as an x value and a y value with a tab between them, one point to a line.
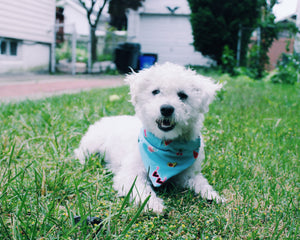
162	141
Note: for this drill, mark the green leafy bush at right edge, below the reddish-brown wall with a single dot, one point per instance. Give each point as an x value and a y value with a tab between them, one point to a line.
288	69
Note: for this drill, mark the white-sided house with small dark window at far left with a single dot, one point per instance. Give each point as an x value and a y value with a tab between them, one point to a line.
26	34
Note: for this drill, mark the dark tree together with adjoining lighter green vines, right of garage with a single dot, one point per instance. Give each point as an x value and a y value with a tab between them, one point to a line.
216	25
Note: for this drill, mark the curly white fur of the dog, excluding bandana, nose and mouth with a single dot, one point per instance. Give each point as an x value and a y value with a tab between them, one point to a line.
117	137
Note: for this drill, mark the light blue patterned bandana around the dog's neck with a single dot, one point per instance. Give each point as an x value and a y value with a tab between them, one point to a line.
165	159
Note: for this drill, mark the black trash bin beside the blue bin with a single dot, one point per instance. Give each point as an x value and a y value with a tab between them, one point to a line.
127	56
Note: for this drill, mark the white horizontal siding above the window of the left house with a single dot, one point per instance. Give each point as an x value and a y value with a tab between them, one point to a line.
27	20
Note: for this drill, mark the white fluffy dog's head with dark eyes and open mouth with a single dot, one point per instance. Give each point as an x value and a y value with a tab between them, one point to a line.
170	100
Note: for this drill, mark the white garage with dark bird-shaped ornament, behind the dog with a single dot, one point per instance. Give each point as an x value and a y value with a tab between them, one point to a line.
163	27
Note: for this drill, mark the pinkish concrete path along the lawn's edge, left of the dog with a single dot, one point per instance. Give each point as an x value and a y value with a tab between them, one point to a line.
35	86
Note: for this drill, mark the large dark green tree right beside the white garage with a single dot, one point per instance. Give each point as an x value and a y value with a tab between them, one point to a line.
216	23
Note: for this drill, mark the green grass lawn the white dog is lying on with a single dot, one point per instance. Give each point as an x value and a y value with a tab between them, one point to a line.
252	158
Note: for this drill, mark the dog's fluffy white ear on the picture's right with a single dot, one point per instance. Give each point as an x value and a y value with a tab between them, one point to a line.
206	90
